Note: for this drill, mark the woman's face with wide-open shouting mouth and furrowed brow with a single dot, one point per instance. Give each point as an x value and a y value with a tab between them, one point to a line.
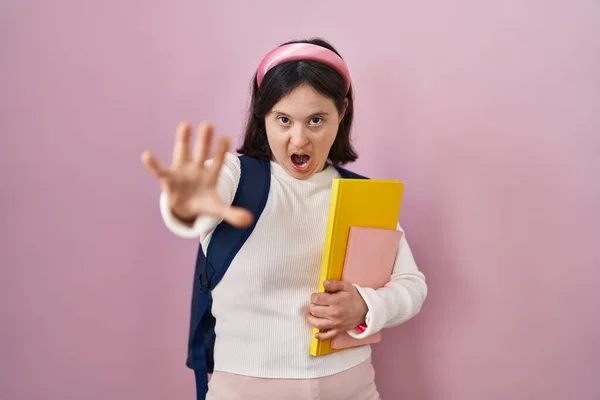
301	128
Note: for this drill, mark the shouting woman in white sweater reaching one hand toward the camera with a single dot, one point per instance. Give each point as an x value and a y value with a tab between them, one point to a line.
300	119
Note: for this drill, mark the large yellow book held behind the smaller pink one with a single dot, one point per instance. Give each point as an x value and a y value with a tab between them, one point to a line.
366	203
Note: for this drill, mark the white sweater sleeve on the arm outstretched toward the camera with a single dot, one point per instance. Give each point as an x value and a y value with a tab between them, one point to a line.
227	184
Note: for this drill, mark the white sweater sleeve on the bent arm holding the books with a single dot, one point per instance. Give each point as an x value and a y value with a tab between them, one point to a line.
400	299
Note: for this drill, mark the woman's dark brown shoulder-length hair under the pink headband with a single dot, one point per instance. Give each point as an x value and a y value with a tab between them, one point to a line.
279	82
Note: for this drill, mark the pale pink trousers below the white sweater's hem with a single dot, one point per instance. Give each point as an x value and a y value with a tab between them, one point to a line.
357	383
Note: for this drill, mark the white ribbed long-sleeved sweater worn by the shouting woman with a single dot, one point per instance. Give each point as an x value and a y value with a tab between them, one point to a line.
260	303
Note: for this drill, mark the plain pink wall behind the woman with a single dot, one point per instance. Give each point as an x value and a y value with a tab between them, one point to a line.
489	111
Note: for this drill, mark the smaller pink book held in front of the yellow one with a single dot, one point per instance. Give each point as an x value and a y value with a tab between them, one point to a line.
369	261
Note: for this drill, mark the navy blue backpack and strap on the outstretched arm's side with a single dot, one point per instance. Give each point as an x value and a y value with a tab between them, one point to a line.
226	241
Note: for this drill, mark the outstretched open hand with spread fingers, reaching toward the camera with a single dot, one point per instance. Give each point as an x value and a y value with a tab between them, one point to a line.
190	183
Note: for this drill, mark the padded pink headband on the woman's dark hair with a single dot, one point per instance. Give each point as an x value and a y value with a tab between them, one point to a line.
302	51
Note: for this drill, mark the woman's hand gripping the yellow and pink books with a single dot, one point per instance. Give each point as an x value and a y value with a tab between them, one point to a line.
340	308
